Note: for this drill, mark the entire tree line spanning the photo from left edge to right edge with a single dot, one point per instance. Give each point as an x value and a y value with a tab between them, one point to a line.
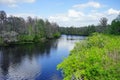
17	29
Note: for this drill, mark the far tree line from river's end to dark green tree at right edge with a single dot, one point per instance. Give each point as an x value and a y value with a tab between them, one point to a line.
103	27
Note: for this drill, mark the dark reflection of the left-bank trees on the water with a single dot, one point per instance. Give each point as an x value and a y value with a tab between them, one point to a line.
13	55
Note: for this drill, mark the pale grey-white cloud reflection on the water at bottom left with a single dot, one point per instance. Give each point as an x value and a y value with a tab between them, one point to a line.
27	70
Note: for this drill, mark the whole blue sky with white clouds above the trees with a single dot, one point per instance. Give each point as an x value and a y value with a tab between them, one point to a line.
68	13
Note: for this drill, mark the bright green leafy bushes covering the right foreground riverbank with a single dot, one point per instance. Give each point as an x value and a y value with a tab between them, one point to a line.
96	58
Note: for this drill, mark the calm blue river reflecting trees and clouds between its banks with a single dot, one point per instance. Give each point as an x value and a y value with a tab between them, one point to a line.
35	61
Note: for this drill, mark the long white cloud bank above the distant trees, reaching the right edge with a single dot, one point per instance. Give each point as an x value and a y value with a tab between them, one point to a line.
77	18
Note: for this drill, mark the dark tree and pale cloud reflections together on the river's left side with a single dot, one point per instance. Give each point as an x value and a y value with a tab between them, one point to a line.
16	62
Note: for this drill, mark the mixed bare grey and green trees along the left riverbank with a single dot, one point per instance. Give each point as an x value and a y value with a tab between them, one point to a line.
17	29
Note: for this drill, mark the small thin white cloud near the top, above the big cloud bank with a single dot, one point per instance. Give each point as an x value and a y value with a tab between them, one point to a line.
89	4
